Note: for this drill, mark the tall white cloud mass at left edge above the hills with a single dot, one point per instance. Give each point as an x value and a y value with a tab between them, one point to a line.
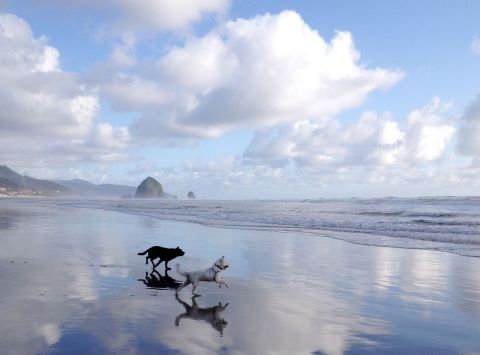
48	115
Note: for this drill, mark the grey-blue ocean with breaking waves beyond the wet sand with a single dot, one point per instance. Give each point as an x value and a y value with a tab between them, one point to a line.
448	224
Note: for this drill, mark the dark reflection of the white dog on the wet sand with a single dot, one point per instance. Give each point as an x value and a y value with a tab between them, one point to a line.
210	314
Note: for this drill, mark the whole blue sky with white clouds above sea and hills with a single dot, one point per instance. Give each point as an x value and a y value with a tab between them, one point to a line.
237	99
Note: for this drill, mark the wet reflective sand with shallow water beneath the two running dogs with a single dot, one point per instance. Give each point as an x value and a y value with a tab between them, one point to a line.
71	282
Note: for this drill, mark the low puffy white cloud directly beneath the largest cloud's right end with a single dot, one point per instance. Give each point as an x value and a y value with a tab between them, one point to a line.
370	140
